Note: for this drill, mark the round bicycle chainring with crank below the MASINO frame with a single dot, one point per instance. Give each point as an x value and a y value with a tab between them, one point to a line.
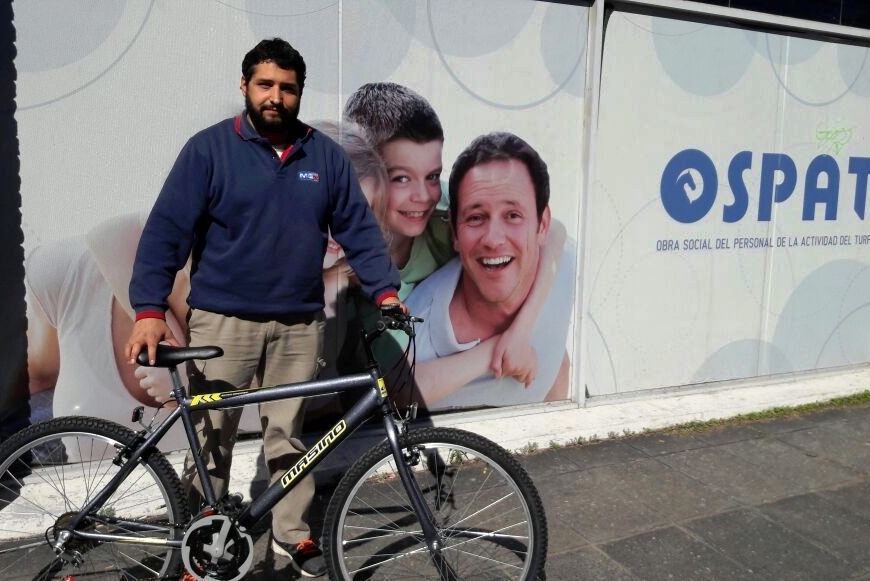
214	548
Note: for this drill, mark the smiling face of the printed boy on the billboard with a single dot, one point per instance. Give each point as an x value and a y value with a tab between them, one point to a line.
414	170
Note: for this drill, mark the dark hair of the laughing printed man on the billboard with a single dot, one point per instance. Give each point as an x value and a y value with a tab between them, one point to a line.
500	146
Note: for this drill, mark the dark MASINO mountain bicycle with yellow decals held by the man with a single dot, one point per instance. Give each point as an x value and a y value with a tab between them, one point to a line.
83	496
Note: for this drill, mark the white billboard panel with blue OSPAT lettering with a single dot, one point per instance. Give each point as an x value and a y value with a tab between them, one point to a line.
727	217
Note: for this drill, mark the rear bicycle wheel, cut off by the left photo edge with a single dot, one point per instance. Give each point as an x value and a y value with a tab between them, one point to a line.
50	470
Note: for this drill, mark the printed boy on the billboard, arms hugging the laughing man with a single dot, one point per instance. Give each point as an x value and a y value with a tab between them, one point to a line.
405	129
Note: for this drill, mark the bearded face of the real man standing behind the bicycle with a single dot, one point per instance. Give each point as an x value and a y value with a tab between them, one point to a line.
272	98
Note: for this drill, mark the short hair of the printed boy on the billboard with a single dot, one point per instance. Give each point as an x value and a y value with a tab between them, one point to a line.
389	111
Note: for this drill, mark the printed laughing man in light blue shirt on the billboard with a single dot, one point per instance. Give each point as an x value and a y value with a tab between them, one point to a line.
500	218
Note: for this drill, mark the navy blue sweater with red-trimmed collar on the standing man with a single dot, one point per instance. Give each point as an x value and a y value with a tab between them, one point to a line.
257	225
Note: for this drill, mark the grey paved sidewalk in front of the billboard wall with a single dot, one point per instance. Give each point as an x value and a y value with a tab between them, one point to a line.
781	499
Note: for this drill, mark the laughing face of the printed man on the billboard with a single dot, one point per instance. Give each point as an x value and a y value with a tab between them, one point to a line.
498	235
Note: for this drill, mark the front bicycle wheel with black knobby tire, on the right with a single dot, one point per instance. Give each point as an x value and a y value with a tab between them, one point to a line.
487	511
